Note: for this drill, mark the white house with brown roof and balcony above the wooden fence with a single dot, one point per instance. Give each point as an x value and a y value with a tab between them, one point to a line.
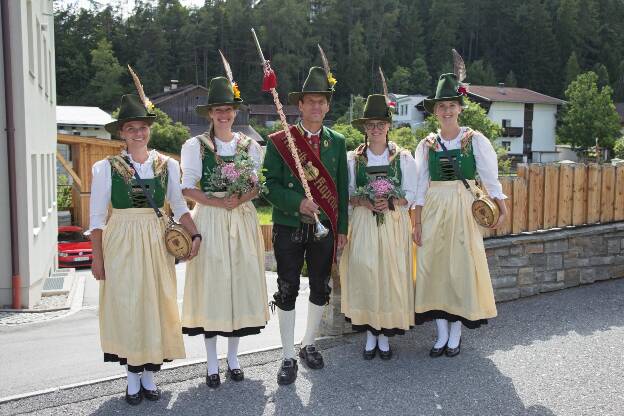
528	118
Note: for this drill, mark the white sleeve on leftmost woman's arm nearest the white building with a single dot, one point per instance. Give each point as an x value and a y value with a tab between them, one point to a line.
101	185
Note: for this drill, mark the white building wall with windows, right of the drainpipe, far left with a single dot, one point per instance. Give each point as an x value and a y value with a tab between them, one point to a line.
34	88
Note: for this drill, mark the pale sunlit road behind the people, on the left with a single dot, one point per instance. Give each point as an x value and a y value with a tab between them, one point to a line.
65	351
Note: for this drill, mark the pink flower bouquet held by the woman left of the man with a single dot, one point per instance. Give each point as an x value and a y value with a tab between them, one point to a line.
235	178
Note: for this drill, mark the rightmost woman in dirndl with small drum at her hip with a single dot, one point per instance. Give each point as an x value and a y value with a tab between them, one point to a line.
453	285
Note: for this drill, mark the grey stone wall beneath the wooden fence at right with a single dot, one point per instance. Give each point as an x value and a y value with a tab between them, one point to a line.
543	261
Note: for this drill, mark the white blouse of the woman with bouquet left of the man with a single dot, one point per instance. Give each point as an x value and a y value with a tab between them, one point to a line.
192	162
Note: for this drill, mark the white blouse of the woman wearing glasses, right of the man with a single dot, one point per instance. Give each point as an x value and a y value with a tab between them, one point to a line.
408	172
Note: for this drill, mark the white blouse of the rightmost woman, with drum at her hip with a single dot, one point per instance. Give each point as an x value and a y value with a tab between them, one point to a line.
485	158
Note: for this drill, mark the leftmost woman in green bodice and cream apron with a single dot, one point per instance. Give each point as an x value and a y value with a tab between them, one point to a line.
139	319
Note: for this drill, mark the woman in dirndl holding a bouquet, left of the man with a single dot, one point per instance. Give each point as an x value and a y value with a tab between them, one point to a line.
225	290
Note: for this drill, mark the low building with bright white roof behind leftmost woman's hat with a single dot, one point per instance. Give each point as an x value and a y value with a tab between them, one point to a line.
82	121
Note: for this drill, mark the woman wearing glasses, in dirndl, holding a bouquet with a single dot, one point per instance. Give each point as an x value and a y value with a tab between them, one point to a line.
376	265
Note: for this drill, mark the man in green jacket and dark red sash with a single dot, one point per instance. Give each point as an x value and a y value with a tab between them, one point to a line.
323	156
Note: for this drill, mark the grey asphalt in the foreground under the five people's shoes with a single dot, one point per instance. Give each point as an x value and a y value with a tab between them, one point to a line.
553	354
